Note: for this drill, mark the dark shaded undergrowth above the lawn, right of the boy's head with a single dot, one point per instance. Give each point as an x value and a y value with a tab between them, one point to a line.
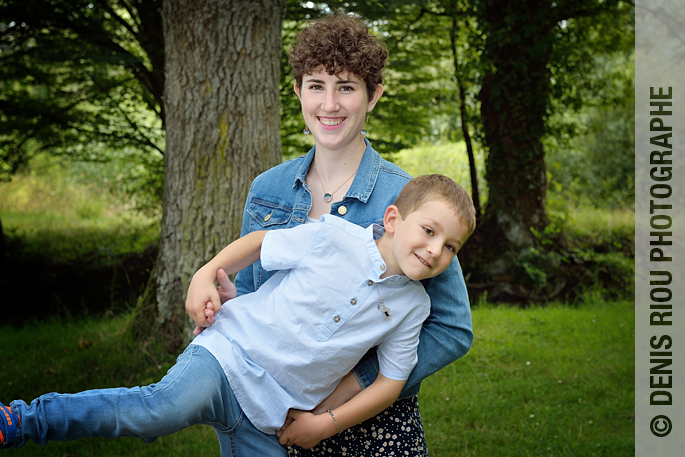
557	268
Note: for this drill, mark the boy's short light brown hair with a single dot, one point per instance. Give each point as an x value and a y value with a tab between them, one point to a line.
437	187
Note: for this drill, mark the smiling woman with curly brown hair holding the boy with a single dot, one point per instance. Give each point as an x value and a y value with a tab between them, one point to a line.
337	66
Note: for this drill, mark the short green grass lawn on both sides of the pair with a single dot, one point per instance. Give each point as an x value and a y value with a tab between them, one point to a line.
542	381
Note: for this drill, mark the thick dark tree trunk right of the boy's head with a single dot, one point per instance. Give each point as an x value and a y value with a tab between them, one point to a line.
514	101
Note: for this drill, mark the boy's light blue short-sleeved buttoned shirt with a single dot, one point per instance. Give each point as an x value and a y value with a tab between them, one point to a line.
289	344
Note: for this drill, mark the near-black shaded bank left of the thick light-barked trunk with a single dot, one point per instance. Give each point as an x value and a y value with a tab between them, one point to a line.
35	287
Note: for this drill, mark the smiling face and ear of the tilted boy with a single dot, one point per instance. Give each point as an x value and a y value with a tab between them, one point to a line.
426	240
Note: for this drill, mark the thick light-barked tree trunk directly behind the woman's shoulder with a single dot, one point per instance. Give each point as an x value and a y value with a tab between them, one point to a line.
222	105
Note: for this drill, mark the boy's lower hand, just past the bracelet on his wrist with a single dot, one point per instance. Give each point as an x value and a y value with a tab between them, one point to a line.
306	429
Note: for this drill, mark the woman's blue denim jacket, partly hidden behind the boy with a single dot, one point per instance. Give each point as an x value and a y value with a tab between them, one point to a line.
280	198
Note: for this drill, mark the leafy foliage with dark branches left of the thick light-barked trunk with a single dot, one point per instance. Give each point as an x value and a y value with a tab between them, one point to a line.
78	77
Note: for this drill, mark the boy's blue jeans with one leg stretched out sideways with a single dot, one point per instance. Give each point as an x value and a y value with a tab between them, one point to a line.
194	391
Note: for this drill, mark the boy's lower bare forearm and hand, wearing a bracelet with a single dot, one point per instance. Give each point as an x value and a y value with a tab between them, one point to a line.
307	429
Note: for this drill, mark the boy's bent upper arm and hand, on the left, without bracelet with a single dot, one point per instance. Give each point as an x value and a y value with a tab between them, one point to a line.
242	253
